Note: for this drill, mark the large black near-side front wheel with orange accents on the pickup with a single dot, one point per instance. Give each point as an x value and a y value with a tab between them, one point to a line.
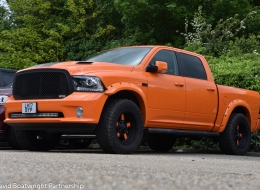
120	129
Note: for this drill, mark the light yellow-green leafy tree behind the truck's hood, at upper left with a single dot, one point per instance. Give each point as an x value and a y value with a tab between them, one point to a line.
47	31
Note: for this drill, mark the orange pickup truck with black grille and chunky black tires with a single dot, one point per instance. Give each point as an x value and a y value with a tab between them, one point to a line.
125	94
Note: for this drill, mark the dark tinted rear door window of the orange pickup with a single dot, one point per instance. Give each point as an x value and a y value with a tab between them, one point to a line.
193	67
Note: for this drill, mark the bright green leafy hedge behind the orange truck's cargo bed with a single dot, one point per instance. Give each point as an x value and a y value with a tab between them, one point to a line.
242	71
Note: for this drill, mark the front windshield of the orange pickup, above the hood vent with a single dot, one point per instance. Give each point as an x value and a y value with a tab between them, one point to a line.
124	56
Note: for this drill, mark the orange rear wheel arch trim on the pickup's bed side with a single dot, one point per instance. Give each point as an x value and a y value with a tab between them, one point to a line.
236	106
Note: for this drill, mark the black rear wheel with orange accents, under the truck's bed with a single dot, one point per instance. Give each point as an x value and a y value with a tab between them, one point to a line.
236	138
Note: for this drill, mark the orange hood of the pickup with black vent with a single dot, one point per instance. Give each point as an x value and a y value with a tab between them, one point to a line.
84	67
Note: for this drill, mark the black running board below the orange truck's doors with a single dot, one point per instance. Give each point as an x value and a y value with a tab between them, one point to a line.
183	132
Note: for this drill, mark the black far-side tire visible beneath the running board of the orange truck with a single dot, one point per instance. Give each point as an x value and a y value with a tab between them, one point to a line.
160	142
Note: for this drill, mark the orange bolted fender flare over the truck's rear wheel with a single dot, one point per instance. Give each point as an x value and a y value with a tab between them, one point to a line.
230	108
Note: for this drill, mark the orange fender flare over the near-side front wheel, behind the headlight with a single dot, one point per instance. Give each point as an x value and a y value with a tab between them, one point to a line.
120	86
